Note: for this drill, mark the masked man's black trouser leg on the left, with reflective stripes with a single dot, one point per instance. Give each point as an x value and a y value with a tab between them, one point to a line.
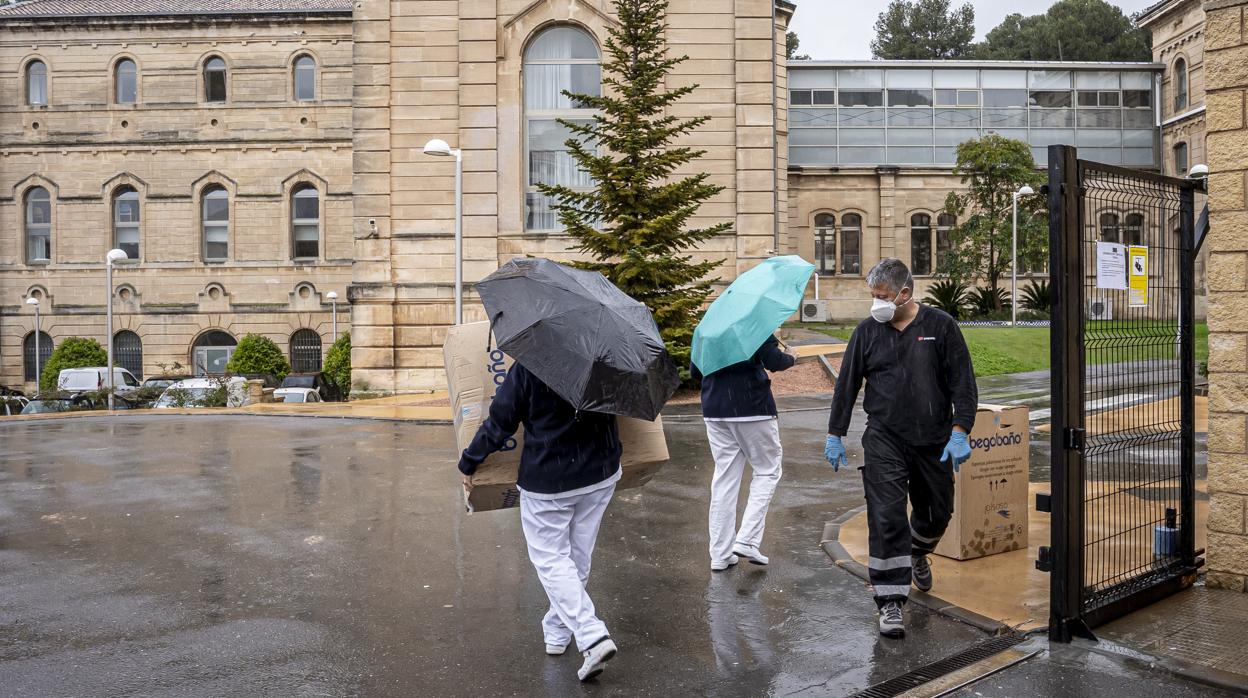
885	484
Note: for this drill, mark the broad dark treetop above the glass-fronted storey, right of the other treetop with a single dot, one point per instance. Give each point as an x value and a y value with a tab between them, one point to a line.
1073	31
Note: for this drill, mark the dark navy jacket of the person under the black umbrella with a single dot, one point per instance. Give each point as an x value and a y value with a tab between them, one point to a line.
563	450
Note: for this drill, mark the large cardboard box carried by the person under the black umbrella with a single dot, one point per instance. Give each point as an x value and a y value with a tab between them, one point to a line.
475	370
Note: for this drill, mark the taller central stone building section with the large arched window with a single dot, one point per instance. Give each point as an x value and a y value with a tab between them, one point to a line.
486	77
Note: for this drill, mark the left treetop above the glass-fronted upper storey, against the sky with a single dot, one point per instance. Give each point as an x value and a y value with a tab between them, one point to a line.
924	29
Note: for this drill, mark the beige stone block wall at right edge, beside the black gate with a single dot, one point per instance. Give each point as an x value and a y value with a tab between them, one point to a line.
1227	83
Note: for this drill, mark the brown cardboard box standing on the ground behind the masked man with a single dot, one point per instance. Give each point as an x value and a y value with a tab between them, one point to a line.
990	496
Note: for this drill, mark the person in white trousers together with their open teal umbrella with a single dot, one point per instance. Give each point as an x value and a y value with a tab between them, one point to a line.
734	349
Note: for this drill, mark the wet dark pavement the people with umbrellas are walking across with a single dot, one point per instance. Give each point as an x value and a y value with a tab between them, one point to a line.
246	556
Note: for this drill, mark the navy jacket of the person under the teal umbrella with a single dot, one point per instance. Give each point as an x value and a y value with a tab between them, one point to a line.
744	390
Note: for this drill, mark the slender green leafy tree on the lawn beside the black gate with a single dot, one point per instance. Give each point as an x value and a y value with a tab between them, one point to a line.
993	169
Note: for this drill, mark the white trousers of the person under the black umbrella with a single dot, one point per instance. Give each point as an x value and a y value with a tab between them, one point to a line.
561	535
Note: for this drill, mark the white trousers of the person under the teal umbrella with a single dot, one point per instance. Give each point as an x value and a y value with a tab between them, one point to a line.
733	444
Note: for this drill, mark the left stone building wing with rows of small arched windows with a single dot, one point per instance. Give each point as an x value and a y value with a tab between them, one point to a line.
210	142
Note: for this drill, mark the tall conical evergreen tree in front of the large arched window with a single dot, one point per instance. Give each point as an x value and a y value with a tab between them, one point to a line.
635	224
